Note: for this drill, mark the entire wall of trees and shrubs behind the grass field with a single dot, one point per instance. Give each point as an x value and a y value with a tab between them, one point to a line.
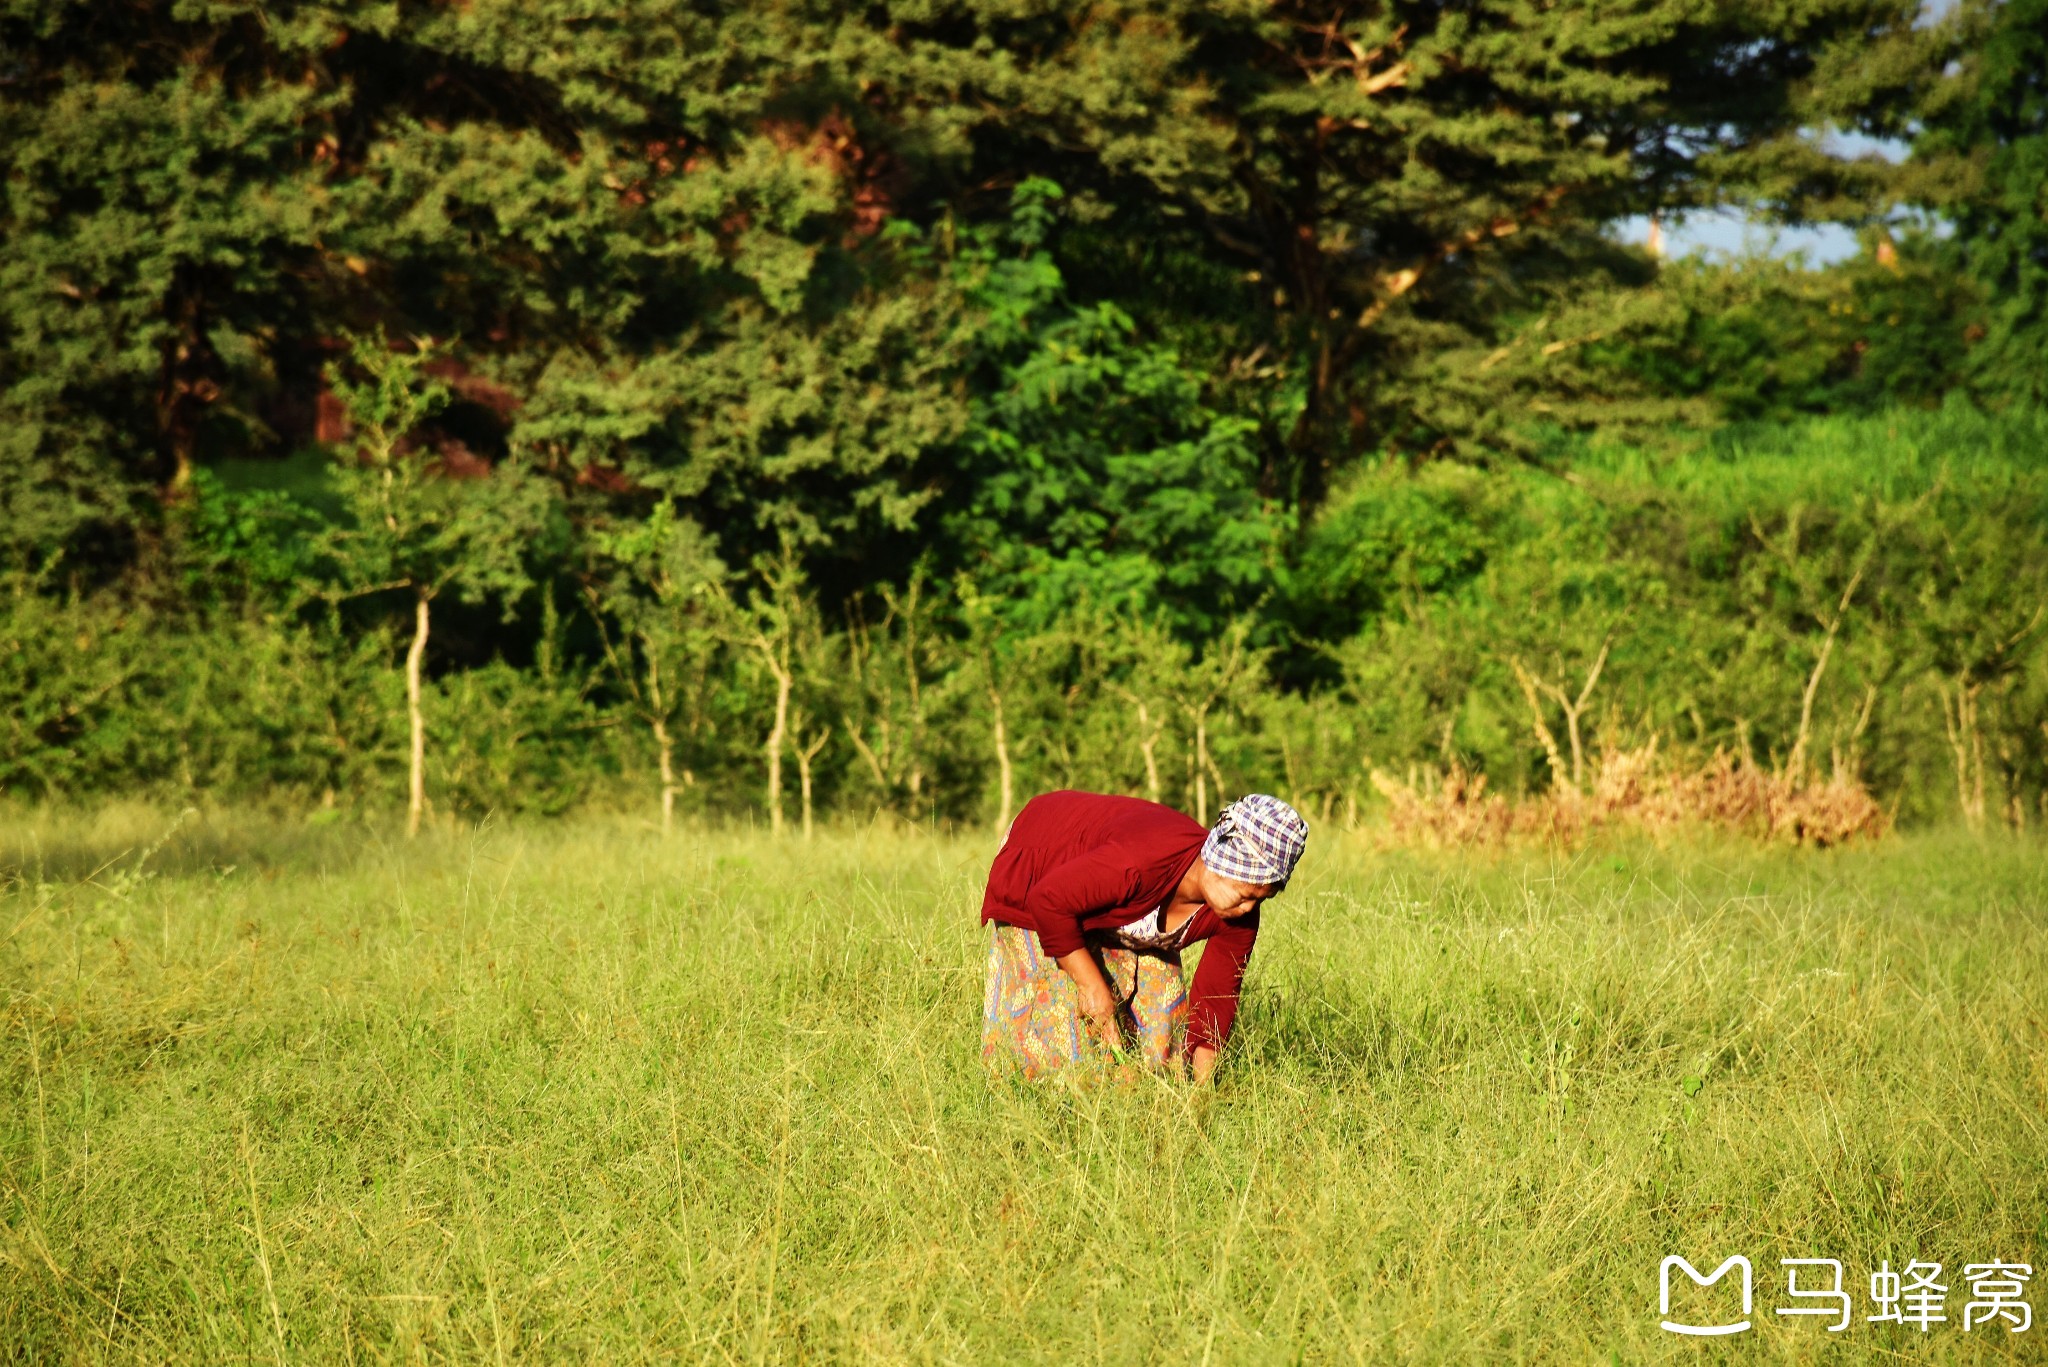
503	407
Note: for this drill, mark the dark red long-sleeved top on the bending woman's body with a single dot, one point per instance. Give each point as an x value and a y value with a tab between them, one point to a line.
1093	862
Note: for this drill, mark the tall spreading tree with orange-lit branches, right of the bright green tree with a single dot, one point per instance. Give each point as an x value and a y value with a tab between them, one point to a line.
1396	214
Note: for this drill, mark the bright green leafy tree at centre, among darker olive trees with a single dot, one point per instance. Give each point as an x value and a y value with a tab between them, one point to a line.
1093	466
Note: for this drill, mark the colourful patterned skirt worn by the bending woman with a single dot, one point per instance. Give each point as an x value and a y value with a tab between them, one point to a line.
1031	1013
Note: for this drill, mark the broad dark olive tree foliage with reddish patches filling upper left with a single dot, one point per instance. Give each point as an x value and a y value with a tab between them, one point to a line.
644	239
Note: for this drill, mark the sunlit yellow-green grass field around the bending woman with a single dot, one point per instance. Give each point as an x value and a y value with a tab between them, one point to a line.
572	1093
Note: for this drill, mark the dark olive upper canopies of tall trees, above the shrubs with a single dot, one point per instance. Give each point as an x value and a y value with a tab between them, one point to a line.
650	235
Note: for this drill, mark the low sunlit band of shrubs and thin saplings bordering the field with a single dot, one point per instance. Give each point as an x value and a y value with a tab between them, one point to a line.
1832	597
